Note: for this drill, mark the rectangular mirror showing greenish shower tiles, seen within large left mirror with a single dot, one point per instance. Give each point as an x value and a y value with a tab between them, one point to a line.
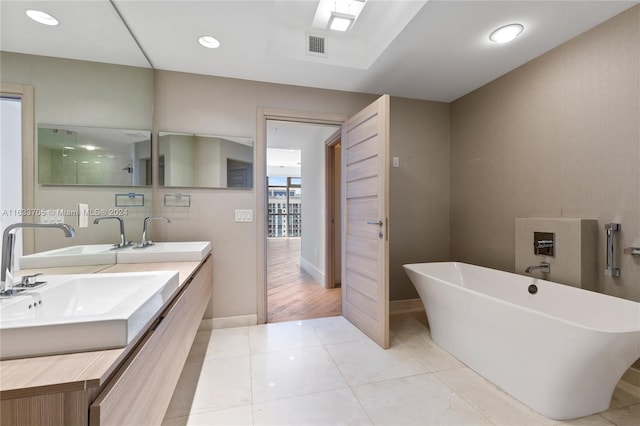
73	155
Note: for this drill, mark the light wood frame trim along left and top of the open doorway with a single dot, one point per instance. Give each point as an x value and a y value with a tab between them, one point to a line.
264	114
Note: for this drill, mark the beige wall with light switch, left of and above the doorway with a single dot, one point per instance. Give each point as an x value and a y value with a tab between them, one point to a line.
210	105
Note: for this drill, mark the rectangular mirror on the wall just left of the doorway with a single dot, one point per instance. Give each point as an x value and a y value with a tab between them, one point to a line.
201	161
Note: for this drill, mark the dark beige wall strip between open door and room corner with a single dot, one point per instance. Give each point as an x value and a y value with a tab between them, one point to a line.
418	189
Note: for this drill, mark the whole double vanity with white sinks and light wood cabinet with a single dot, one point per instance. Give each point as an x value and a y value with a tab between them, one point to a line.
104	341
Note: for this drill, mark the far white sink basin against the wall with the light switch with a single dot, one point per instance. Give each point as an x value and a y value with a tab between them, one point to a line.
191	251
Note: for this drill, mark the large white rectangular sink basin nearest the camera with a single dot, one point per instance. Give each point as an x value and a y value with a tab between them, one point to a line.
77	313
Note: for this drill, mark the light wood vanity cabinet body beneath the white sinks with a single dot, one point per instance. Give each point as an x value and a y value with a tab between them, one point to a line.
140	382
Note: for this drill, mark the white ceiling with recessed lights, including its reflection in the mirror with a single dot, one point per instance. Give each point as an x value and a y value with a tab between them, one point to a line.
435	50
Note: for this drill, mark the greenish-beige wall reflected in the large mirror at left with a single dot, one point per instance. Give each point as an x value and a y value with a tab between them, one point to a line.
84	94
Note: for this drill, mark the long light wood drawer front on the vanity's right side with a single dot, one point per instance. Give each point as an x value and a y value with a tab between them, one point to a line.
142	388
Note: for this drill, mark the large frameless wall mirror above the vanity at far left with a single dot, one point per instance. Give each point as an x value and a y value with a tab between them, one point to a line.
83	79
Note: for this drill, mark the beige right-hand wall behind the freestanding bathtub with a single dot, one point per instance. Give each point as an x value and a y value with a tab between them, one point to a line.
558	137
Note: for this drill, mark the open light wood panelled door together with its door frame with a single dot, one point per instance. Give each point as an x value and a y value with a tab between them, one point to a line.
365	213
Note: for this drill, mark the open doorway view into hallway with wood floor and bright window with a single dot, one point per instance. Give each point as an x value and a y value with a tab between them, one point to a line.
296	277
